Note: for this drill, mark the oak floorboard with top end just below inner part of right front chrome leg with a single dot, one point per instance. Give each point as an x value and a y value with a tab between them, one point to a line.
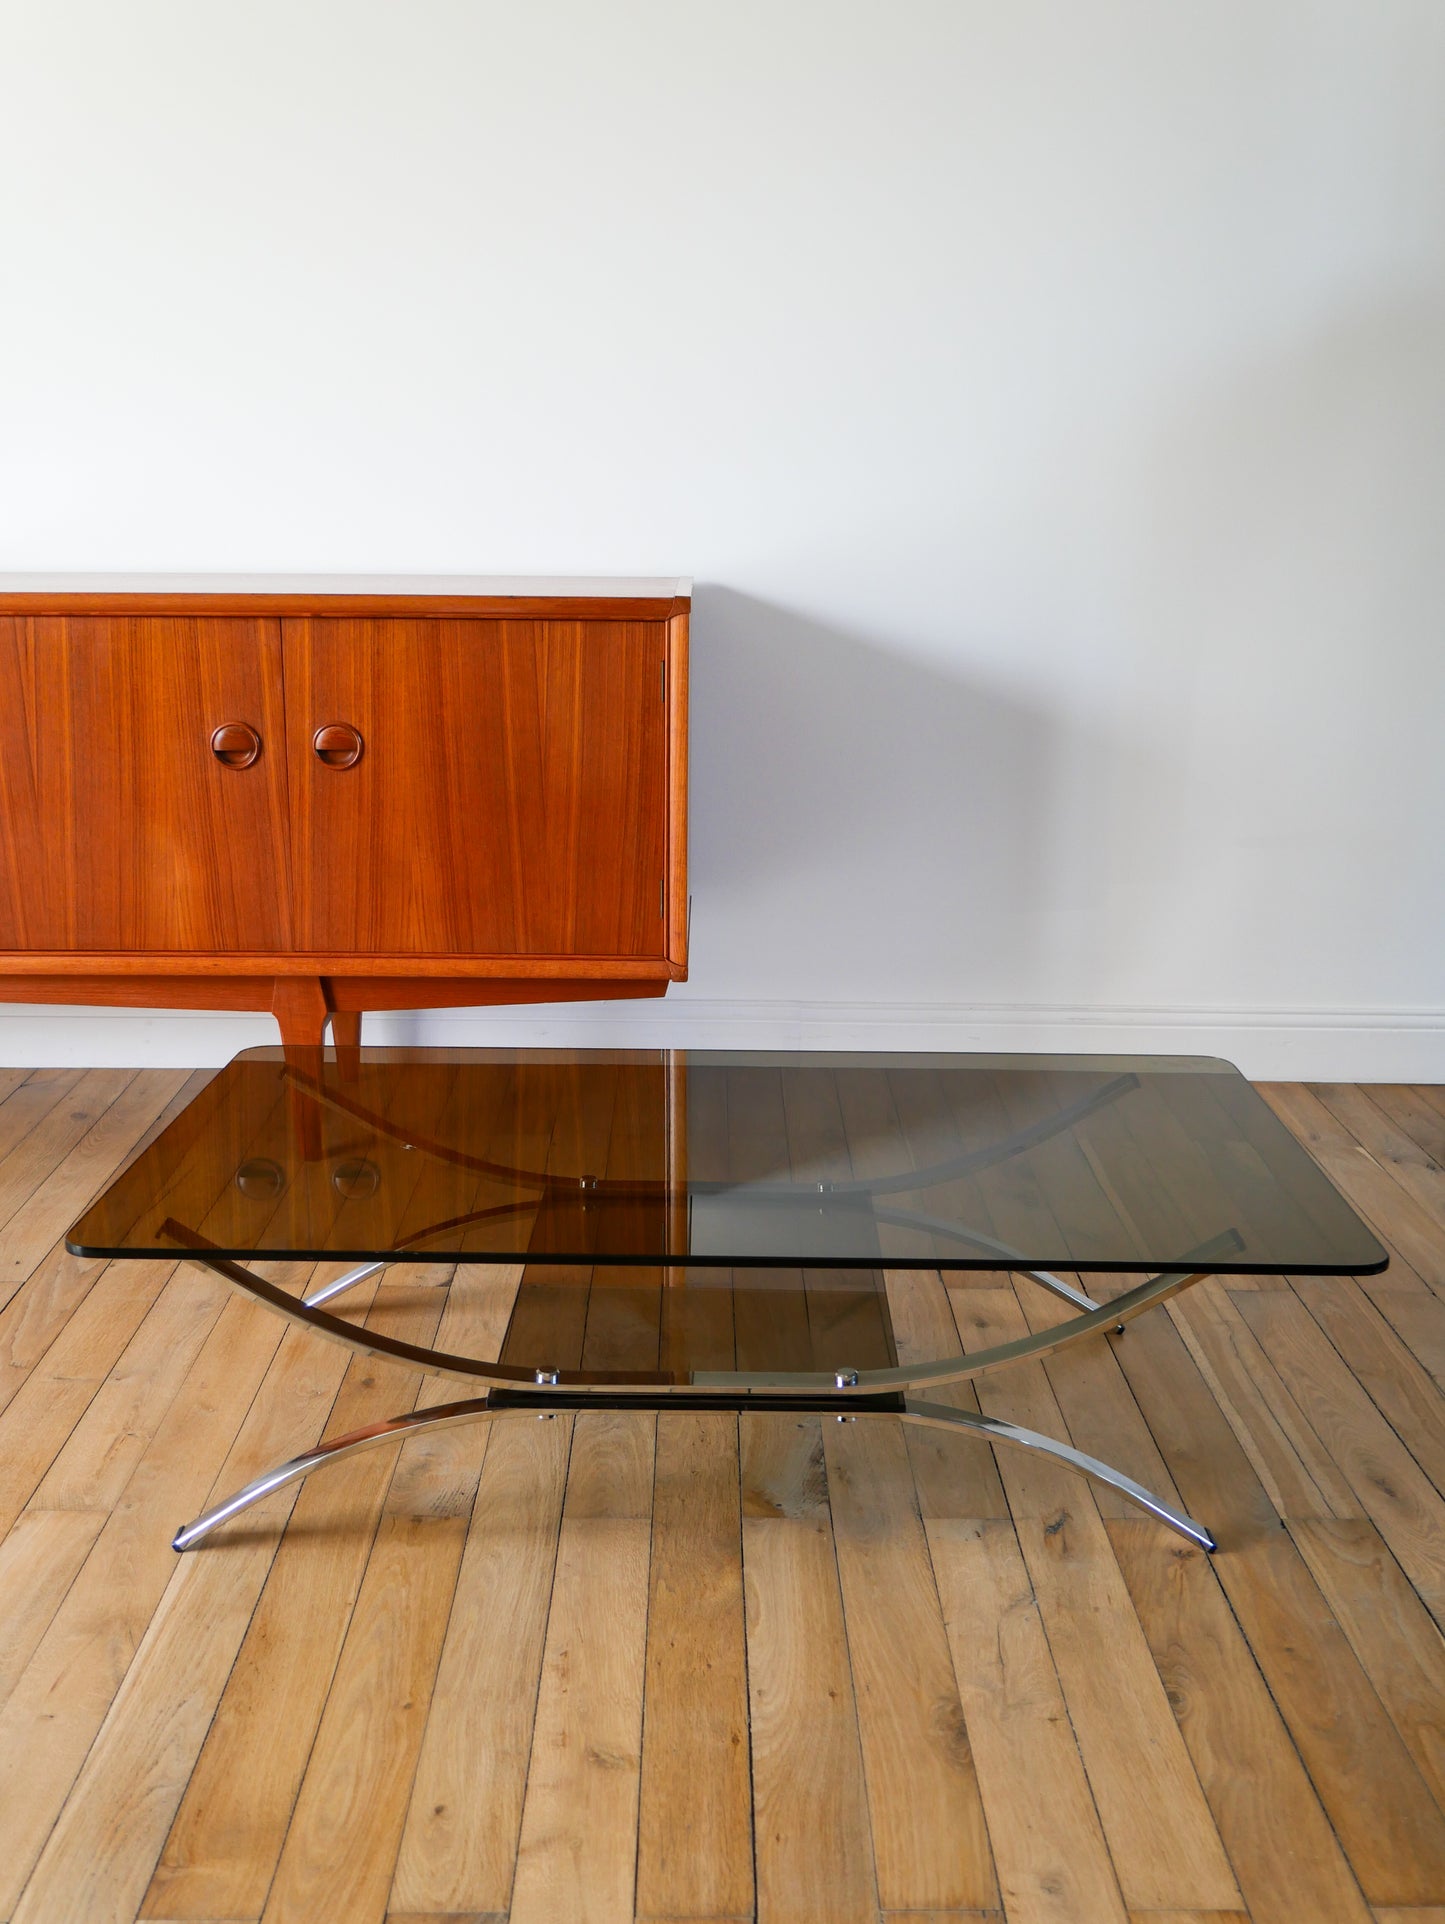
1048	1844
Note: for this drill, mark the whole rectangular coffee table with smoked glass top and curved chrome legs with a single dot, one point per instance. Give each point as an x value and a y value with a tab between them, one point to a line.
722	1230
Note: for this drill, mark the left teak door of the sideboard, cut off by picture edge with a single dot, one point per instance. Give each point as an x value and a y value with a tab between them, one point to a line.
118	826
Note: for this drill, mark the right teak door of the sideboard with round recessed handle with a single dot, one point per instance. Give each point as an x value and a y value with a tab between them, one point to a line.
478	786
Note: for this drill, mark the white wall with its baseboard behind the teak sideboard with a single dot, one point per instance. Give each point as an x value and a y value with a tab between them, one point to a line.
1048	395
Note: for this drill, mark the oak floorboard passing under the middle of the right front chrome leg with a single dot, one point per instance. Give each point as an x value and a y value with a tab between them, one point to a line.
1161	1835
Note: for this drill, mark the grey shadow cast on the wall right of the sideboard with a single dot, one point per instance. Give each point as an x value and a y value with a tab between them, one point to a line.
867	824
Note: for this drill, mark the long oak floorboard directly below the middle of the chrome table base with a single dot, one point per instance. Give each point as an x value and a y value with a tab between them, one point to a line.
696	1827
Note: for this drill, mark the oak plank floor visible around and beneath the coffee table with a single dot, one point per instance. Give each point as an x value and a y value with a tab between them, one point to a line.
696	1669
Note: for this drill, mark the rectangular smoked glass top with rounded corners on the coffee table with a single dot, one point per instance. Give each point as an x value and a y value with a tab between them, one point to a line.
663	1159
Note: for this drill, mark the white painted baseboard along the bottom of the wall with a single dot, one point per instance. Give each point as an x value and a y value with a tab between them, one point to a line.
1267	1044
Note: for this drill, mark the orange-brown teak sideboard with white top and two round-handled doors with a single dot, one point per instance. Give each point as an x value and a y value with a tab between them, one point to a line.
330	797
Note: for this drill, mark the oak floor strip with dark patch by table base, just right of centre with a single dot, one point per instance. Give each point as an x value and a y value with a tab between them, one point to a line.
809	1798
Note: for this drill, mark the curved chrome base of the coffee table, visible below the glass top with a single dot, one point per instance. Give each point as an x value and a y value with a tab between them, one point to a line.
844	1394
